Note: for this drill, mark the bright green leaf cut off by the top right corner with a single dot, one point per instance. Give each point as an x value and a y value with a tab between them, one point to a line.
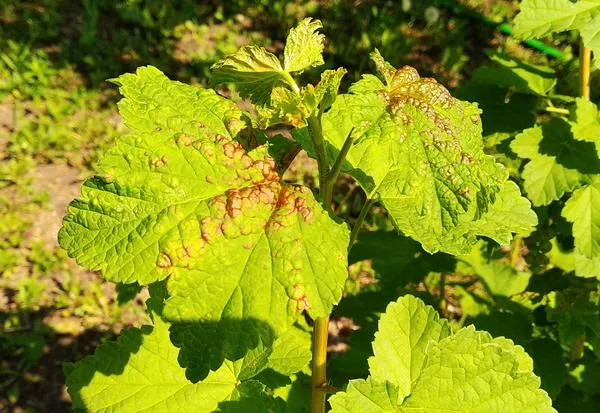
542	17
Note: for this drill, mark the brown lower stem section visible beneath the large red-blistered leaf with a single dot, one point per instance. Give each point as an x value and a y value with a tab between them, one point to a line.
319	364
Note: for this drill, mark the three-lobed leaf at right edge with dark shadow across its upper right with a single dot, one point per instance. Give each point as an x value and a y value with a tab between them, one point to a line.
558	162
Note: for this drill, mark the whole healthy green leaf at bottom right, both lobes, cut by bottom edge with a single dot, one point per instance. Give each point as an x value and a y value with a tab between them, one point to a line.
431	370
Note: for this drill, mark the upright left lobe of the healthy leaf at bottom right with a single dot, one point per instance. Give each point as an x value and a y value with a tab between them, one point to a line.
406	329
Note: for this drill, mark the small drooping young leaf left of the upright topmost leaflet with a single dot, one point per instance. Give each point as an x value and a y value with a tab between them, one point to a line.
253	70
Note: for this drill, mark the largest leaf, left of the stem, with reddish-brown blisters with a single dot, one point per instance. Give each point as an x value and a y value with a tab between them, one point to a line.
180	199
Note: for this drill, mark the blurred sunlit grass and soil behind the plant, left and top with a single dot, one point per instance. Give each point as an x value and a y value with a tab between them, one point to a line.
57	113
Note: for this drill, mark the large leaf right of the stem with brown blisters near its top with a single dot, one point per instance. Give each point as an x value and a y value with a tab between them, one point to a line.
419	151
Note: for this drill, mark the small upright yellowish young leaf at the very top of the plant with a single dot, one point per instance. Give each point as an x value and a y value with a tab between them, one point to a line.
304	46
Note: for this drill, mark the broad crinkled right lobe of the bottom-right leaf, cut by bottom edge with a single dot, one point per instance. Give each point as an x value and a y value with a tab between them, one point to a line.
454	377
